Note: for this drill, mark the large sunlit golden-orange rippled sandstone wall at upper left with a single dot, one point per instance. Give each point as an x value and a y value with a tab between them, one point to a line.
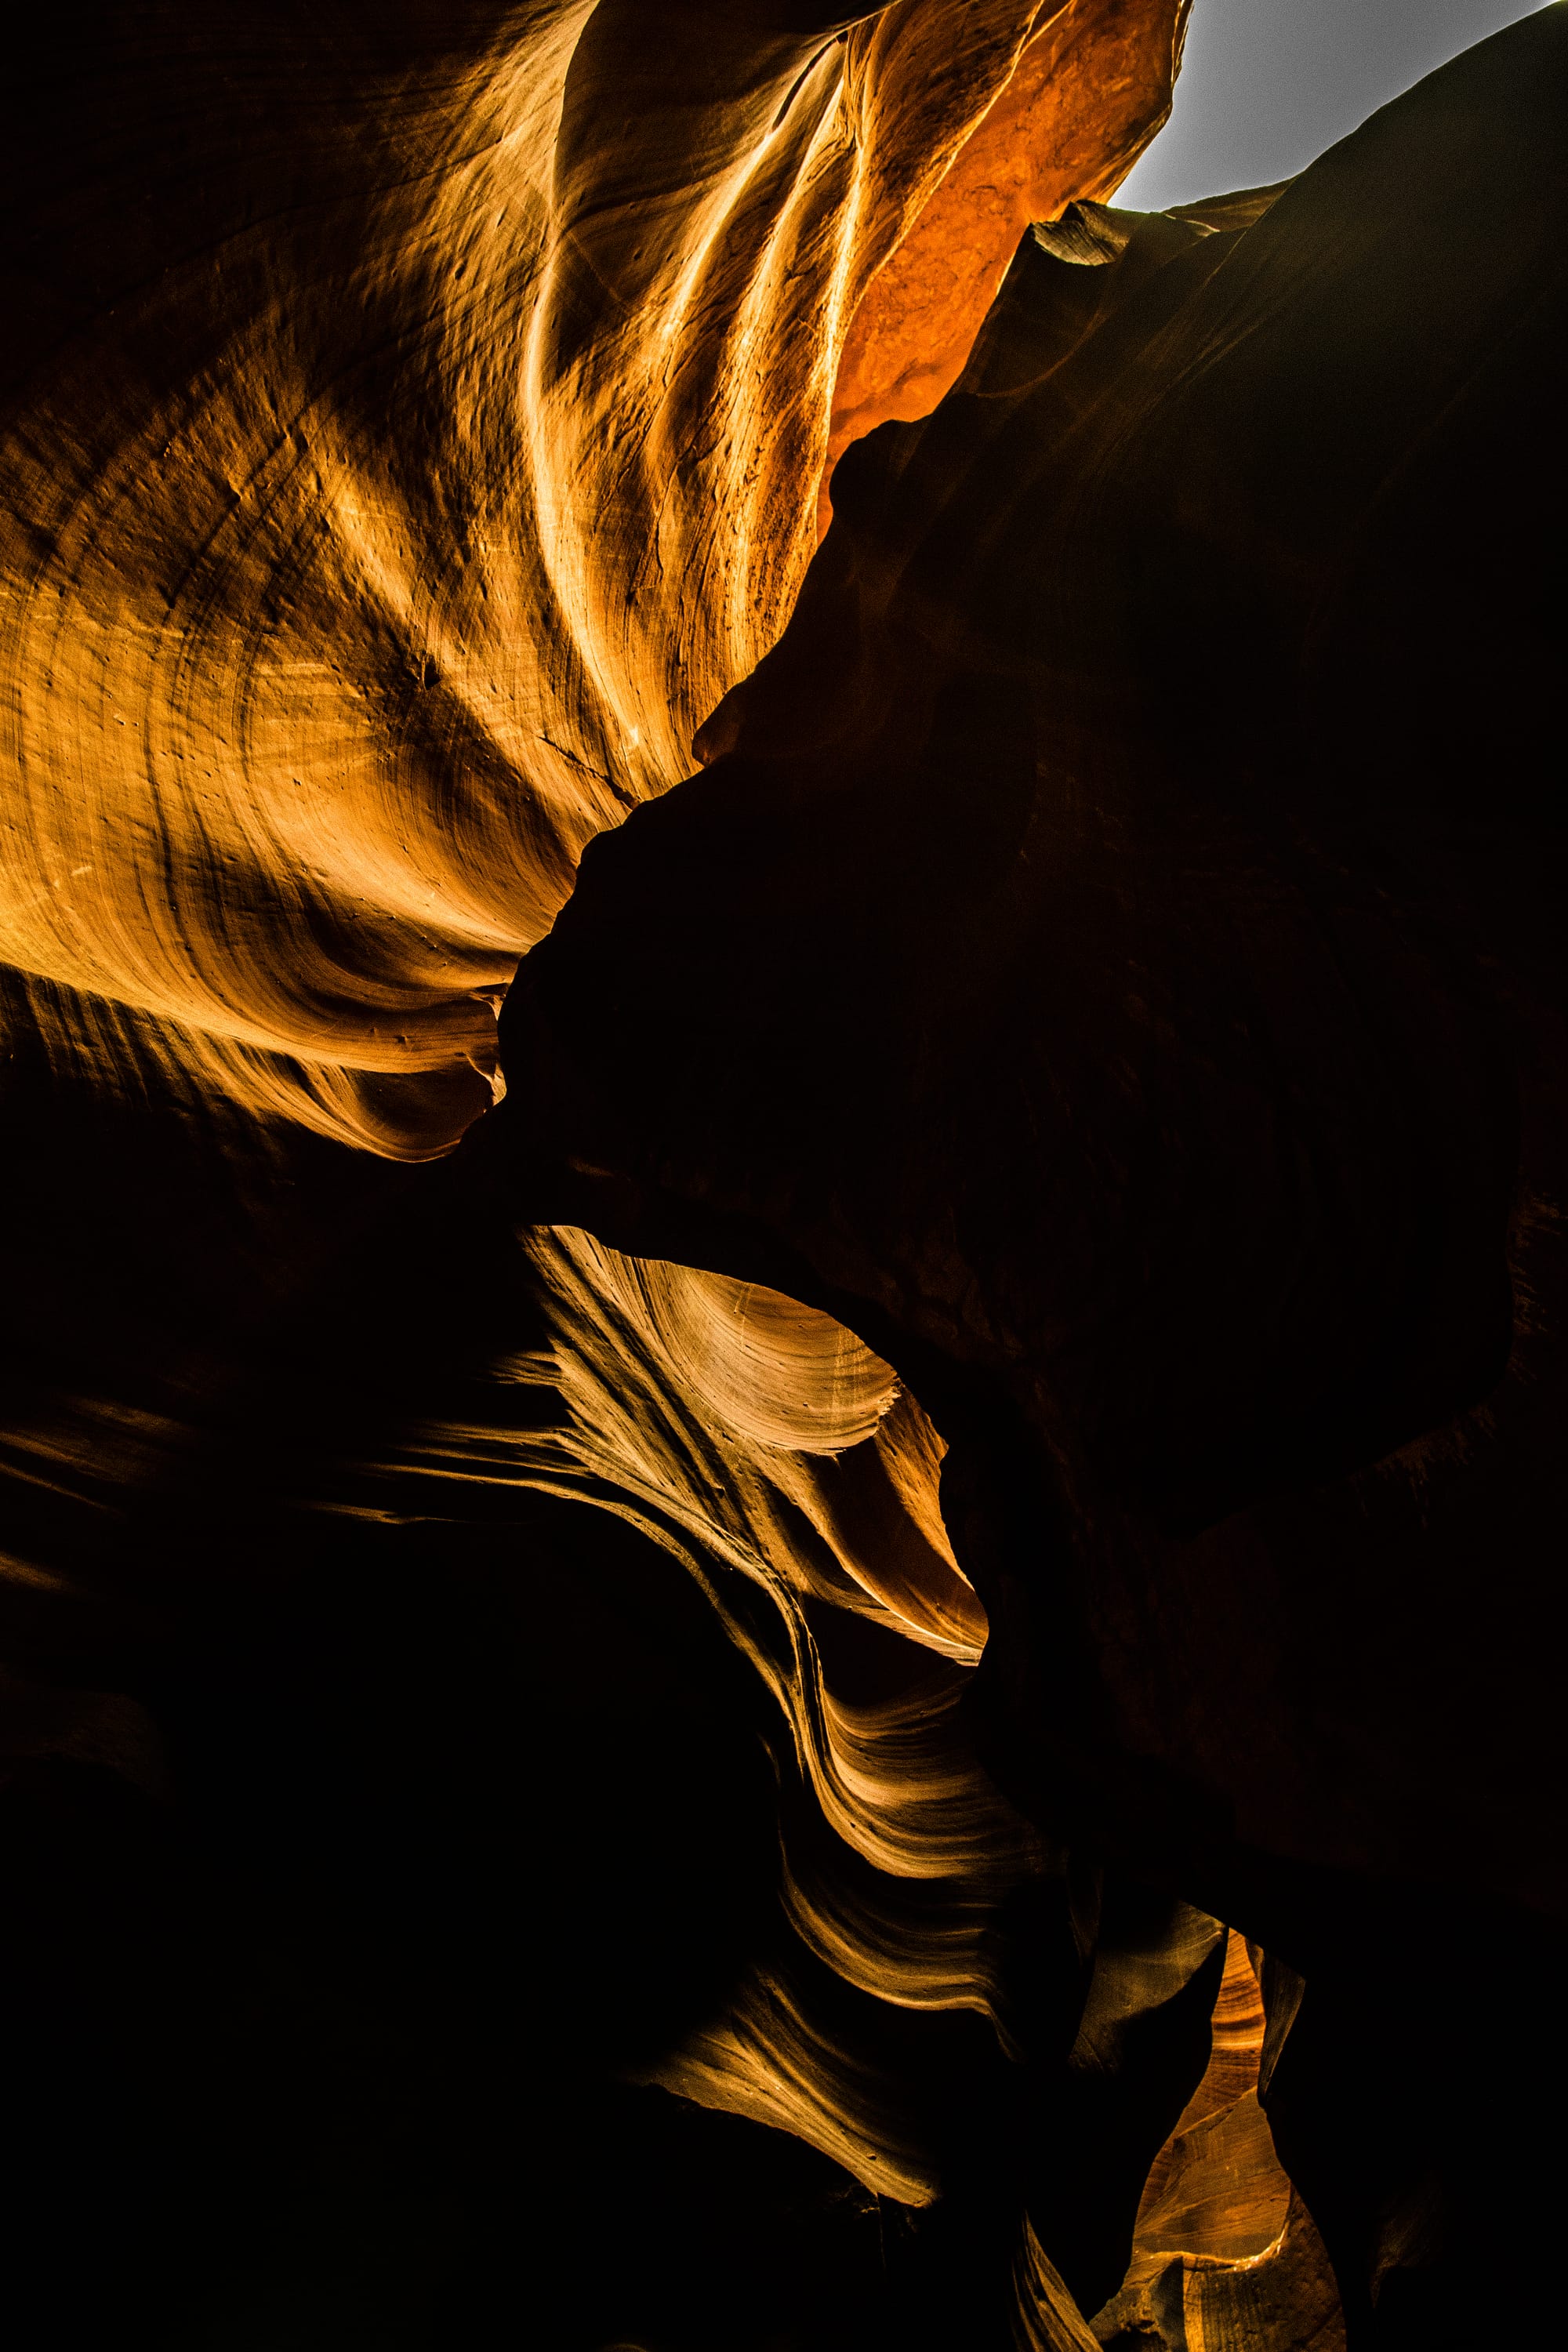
408	448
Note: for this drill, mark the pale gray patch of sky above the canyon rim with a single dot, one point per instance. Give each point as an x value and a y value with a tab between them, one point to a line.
1271	83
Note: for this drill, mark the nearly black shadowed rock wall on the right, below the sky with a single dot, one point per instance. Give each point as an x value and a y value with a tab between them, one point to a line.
1115	958
